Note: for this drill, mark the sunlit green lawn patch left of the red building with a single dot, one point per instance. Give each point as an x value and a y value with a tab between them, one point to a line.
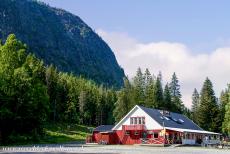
59	133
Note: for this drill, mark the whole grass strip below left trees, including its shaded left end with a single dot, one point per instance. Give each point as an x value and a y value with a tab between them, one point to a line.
53	133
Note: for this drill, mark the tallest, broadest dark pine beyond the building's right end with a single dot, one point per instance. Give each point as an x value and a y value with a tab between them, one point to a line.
208	112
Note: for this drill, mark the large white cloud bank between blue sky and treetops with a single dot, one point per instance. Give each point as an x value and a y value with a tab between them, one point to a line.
169	57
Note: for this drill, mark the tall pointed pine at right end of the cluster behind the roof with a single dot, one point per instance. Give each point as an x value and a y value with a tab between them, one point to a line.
175	94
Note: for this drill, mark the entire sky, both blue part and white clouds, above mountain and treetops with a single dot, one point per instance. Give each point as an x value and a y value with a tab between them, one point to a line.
189	37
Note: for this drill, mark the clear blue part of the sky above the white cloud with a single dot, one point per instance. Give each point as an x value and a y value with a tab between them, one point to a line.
201	24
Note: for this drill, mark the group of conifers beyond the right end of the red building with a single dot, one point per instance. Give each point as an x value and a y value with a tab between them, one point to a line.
208	111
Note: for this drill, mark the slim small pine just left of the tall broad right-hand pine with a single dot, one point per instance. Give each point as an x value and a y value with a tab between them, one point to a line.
195	105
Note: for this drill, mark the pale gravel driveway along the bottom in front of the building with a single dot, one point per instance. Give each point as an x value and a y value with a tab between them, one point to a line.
113	149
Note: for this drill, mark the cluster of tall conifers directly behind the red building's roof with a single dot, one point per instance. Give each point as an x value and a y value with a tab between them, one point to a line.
147	90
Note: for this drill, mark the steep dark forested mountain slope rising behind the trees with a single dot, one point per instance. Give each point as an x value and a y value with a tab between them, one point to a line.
60	38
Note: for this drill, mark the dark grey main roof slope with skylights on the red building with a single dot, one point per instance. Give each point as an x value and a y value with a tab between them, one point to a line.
173	119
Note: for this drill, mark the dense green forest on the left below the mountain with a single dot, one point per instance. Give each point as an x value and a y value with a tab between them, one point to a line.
32	94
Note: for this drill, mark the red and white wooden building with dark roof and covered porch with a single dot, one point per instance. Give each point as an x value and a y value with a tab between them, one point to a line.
151	126
